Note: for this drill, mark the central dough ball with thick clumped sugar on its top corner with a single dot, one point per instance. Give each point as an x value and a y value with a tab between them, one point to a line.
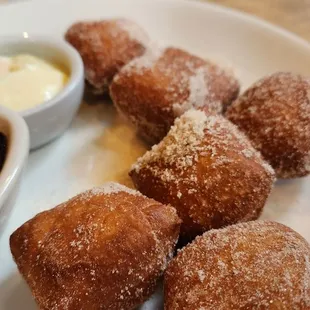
208	170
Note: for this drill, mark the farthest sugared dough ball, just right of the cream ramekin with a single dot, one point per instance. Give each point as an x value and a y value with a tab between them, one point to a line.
105	46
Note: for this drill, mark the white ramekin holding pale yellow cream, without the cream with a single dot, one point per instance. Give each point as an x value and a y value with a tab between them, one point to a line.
50	119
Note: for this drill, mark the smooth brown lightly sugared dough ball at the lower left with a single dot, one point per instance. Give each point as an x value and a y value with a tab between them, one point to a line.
103	249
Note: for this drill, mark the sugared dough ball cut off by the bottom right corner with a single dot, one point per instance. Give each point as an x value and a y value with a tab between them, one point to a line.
254	265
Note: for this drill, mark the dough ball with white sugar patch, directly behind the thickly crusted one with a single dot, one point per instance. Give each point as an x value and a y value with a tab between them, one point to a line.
154	89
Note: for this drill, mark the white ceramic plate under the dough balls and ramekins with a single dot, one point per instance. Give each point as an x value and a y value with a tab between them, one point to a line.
99	147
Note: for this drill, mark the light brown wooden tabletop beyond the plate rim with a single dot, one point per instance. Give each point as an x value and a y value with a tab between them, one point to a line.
293	15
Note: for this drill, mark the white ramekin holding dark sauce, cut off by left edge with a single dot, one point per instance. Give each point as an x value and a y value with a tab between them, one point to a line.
15	129
